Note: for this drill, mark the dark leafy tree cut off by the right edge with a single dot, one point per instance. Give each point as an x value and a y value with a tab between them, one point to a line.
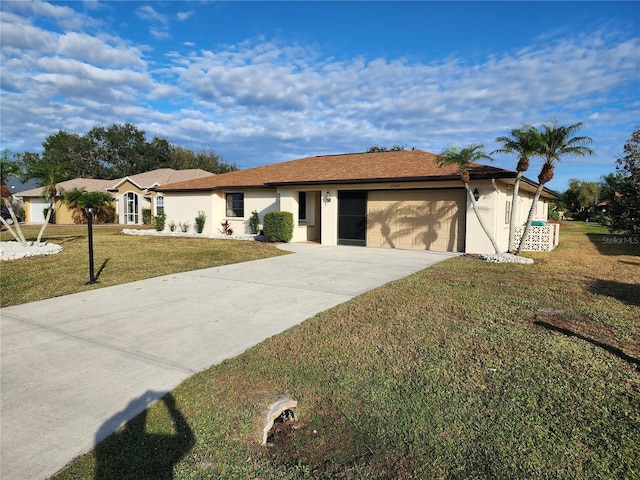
624	204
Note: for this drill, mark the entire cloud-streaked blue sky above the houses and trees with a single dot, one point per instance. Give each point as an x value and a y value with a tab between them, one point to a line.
264	82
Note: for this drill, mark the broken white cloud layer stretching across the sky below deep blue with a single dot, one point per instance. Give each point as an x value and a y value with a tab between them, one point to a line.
288	100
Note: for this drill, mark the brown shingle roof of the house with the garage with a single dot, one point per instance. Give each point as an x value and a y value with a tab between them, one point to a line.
405	165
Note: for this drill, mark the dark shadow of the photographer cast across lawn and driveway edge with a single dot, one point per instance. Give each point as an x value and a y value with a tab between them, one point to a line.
132	452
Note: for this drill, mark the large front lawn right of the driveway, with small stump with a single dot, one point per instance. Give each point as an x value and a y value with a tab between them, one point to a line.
463	370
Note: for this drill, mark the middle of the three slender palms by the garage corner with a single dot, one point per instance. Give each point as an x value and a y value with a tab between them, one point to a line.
524	142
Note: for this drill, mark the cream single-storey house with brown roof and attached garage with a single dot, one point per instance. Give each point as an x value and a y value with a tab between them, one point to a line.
398	199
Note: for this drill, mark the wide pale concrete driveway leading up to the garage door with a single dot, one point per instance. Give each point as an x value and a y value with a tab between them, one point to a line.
72	365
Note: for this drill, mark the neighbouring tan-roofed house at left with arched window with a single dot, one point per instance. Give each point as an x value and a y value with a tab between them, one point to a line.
130	195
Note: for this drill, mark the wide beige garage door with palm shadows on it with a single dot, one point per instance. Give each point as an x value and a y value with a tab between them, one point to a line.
418	219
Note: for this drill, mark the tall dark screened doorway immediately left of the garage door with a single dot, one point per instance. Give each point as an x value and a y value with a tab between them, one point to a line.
352	218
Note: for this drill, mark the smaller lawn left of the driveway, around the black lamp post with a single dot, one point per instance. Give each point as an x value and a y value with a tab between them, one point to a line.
118	259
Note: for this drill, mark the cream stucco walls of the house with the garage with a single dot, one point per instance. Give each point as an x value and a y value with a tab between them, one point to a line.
322	209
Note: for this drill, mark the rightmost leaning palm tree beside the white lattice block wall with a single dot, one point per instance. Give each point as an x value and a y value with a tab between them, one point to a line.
556	141
